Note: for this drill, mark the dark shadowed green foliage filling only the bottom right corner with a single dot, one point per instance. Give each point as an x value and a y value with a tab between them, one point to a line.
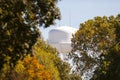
109	68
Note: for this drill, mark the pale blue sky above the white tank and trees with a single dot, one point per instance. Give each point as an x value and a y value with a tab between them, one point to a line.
74	12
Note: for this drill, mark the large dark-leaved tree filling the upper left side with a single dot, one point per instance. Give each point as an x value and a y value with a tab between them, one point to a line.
19	21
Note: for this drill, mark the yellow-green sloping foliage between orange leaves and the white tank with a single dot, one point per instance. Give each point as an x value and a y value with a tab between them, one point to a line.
48	57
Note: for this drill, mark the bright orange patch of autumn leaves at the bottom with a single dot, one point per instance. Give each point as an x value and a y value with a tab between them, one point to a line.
33	70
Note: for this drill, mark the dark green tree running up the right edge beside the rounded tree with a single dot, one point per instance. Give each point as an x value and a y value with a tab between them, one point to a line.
109	68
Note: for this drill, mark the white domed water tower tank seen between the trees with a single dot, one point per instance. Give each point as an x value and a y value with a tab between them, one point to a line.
60	38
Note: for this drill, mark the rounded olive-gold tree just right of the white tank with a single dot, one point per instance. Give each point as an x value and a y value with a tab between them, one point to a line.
94	38
